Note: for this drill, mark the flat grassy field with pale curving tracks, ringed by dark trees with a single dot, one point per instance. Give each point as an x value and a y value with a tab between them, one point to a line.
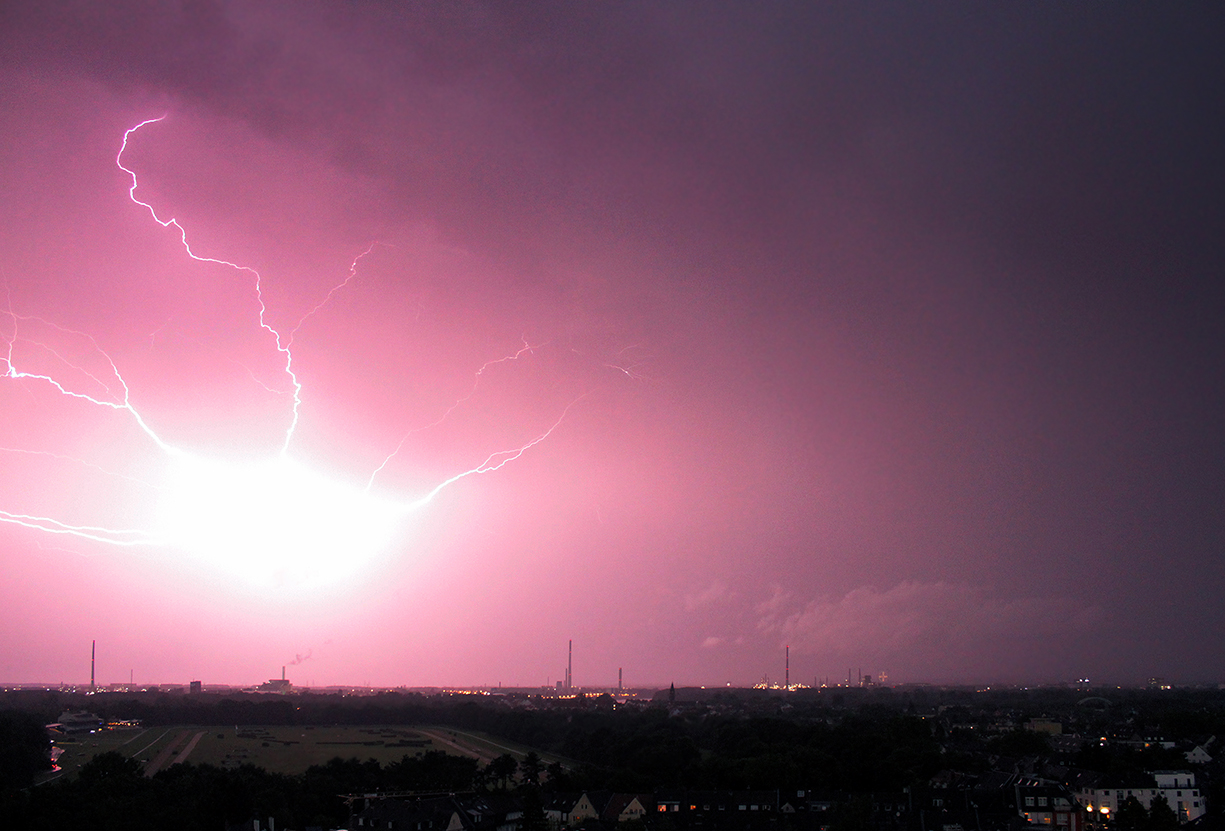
280	749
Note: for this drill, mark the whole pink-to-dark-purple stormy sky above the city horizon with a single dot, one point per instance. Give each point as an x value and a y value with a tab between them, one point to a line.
892	333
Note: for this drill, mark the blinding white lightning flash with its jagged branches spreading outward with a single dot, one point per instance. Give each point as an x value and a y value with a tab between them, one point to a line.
271	520
